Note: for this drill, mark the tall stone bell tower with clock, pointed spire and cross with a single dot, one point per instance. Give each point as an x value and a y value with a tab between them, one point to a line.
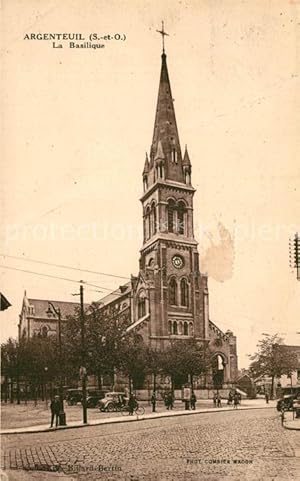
169	260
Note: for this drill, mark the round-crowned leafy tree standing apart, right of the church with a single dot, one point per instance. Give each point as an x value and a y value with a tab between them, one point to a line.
272	359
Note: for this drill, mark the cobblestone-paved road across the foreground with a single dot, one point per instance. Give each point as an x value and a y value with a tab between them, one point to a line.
235	446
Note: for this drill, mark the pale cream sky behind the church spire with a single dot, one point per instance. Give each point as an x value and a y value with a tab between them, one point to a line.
77	123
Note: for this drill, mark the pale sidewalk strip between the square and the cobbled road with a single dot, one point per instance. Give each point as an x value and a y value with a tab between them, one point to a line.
246	405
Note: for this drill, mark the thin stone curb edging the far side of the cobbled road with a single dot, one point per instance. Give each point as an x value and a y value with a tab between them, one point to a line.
137	418
